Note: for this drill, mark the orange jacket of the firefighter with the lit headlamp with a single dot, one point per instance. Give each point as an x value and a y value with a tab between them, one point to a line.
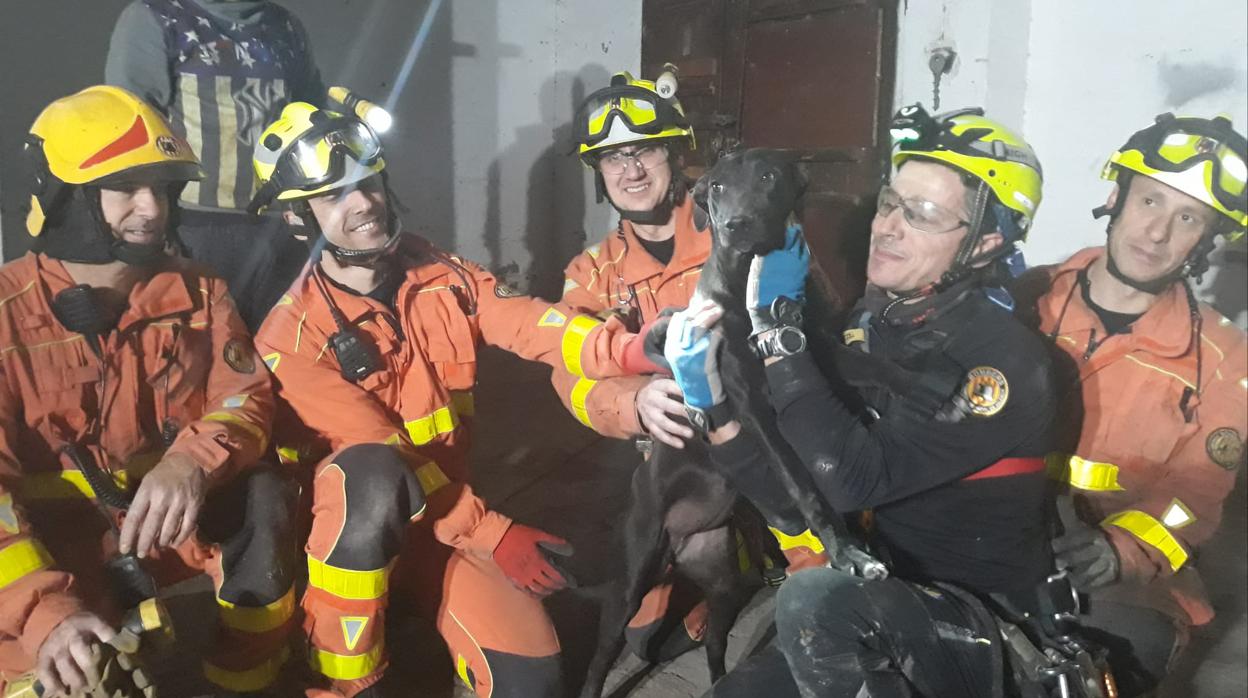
421	400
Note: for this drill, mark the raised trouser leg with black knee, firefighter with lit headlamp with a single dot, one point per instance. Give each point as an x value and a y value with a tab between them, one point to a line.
364	501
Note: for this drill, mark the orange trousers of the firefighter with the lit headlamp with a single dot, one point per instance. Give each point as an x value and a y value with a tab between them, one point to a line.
364	544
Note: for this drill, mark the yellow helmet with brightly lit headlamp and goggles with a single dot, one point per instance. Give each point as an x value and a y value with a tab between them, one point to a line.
309	152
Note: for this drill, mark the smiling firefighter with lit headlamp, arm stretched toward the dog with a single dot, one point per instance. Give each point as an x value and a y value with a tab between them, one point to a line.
375	354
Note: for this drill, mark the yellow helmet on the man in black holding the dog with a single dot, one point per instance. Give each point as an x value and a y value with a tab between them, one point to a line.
979	147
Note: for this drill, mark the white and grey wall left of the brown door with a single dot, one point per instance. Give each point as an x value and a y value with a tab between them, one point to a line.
474	153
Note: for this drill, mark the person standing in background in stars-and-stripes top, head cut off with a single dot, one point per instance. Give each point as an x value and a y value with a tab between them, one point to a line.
220	71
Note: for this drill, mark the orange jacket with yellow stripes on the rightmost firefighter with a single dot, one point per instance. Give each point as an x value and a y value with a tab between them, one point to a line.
1155	479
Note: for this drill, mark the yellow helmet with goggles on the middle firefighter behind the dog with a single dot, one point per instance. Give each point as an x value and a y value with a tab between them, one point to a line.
631	111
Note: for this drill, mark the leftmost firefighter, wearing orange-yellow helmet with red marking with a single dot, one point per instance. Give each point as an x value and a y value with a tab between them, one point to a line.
128	375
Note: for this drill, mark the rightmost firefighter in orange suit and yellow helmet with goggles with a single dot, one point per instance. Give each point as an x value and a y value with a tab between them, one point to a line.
1156	390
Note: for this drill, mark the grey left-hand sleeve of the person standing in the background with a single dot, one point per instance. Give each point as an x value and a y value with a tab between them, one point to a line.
138	57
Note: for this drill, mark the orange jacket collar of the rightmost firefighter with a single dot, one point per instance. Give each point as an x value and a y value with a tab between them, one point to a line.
1165	330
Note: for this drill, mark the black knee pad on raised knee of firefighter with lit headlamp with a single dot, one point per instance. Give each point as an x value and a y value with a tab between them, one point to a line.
383	495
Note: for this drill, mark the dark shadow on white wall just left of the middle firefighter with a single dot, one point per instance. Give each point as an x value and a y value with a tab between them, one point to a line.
556	202
